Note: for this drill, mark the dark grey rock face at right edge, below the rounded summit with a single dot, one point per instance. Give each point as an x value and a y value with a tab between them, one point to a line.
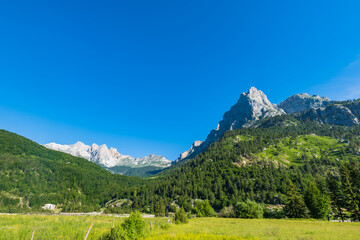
344	114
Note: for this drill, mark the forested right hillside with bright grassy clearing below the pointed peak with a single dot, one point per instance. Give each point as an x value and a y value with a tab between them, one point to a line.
269	164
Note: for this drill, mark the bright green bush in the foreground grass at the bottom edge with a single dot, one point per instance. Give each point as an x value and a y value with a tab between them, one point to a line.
132	228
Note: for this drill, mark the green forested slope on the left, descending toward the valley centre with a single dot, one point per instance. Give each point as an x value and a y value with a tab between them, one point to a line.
32	175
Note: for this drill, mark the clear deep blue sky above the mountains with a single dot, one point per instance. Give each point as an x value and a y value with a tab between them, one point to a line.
153	76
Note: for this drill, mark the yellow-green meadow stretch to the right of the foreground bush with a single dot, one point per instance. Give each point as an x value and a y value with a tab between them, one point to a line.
263	229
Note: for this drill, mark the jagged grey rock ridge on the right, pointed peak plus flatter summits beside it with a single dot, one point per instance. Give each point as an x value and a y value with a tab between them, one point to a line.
254	106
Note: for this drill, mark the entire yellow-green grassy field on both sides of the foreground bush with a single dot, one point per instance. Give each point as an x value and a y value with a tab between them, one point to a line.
75	227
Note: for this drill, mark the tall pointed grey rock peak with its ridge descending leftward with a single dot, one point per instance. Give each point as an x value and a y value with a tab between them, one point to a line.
251	107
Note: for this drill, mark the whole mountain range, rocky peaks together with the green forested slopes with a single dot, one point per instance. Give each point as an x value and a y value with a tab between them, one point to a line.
256	153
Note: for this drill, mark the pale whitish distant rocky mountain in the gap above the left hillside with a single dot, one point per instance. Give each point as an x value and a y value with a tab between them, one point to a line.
109	158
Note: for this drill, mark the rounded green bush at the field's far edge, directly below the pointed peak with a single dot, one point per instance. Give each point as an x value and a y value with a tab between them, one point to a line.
248	209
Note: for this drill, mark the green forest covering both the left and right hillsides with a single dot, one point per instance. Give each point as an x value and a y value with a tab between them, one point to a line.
280	168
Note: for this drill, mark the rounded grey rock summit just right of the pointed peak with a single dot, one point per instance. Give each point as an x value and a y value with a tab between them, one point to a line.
303	102
